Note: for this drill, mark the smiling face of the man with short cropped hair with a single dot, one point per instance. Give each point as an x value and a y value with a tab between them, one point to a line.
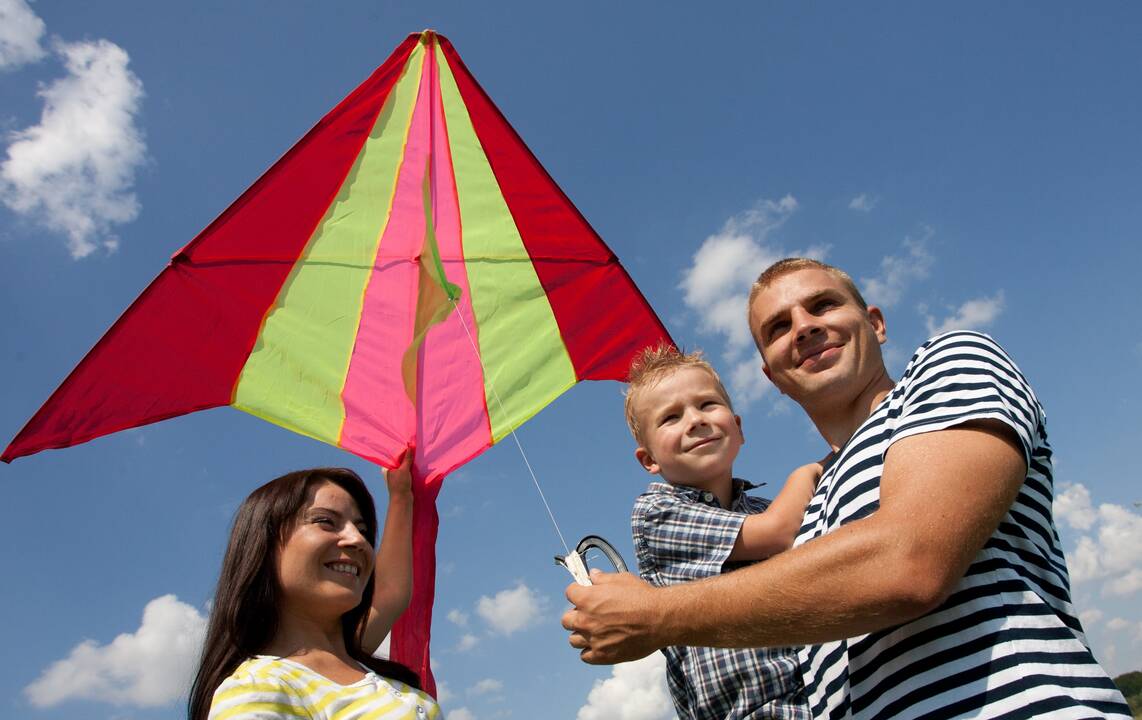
819	346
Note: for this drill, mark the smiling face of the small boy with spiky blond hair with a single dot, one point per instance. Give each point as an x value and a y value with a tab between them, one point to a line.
690	435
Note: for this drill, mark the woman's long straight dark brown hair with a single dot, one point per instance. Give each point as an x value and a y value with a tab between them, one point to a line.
245	619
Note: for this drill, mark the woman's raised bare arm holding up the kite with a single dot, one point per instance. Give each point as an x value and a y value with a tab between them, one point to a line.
393	570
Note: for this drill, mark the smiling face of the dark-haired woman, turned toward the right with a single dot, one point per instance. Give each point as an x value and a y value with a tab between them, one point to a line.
326	561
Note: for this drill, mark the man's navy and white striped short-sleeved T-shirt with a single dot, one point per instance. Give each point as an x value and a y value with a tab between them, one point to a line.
1007	644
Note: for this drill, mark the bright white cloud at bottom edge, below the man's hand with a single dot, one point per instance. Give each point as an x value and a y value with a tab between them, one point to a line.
634	692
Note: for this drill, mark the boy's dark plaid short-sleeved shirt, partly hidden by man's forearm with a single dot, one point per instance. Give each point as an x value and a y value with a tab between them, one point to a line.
682	534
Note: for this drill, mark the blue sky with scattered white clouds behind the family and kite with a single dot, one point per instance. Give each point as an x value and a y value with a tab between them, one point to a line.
971	165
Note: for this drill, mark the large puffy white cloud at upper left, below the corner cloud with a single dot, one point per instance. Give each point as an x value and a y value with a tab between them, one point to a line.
74	172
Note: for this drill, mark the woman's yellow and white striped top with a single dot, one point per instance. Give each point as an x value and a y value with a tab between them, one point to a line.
266	689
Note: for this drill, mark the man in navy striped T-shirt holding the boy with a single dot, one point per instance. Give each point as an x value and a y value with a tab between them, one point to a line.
928	579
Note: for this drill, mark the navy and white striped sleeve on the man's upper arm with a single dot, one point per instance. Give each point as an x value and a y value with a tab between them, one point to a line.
963	377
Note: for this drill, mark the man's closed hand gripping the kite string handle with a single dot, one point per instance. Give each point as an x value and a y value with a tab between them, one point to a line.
616	620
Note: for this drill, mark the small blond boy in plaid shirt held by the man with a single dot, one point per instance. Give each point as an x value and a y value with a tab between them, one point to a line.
701	523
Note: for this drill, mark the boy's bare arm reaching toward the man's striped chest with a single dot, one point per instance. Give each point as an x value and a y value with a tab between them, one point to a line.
773	532
